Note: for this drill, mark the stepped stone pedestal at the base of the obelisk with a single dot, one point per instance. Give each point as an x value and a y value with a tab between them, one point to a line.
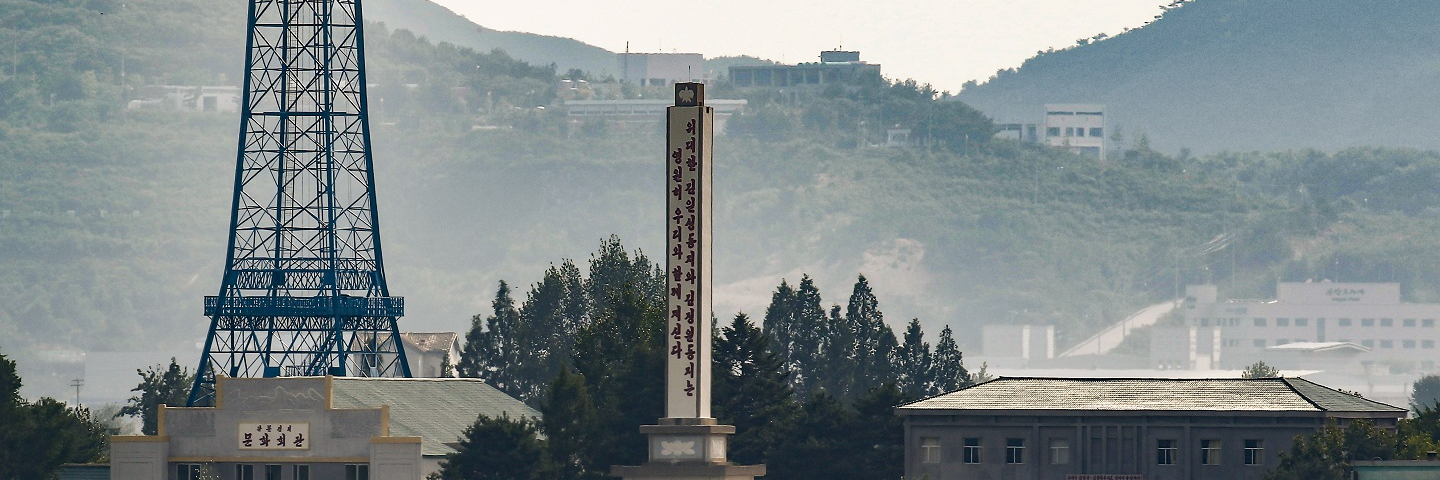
688	449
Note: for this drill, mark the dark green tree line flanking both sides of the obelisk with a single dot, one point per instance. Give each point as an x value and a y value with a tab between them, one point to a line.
811	394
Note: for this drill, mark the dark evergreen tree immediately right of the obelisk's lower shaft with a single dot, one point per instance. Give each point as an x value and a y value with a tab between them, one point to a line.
751	391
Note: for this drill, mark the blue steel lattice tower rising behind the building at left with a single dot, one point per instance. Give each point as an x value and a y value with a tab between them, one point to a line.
305	286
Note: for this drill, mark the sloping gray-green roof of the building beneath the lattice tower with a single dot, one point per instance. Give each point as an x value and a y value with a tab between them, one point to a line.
436	410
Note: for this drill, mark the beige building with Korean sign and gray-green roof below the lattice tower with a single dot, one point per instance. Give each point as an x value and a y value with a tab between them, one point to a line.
315	427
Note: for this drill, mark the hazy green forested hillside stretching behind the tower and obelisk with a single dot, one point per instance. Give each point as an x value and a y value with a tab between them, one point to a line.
113	221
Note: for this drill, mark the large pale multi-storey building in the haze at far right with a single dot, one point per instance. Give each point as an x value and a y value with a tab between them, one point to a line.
1369	315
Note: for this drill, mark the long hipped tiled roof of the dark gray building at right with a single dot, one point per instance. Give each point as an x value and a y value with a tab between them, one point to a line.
1220	396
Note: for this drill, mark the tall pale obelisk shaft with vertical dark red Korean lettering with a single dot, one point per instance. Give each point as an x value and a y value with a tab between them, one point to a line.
688	266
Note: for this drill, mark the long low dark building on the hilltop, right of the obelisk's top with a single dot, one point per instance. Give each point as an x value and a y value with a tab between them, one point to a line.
834	68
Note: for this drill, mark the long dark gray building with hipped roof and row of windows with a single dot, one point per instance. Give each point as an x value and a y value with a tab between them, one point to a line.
1046	429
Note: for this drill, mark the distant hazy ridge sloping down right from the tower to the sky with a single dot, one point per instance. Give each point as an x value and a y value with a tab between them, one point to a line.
440	25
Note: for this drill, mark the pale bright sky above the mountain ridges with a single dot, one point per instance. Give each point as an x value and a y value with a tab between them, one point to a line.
942	43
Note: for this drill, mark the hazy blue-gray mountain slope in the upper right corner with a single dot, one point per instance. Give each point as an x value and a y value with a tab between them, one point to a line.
1248	76
